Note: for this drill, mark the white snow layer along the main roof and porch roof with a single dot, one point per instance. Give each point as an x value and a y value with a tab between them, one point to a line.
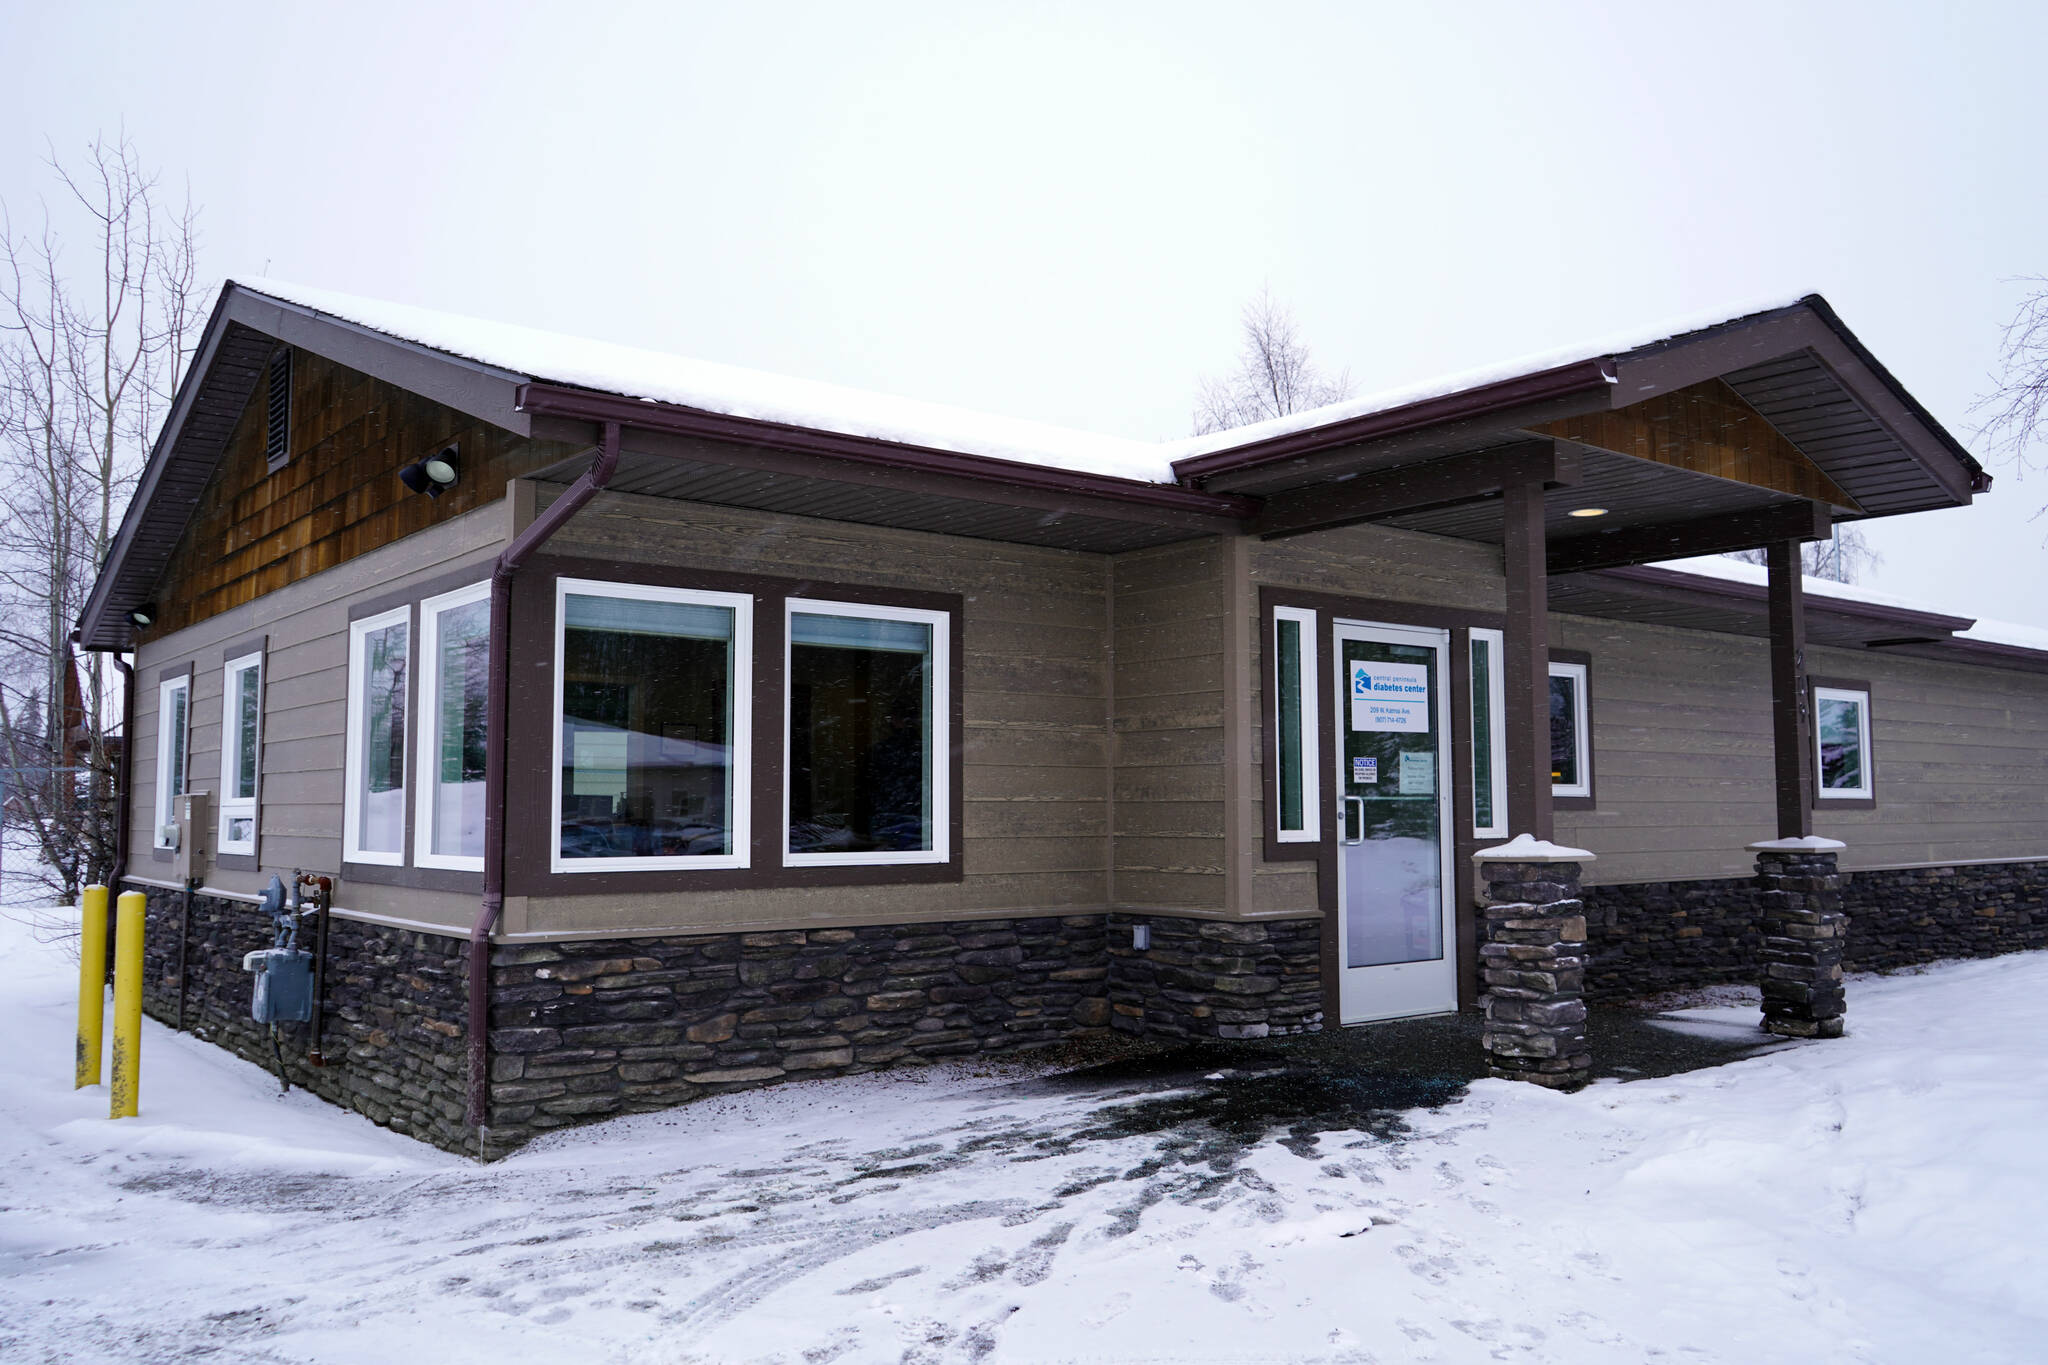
738	392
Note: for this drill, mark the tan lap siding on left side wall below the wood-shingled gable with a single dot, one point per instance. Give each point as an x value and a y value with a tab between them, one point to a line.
306	670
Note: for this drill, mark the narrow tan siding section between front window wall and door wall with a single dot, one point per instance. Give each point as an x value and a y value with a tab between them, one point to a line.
1168	777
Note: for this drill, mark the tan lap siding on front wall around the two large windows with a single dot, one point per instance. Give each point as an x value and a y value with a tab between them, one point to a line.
1035	703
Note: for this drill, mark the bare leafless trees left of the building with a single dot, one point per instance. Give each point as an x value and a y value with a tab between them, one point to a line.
91	351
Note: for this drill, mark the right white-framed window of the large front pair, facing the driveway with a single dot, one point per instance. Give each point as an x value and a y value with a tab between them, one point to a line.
865	719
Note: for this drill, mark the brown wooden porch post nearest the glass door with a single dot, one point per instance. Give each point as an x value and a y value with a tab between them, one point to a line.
1527	666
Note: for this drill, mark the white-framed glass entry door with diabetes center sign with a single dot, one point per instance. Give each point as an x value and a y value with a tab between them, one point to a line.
1396	881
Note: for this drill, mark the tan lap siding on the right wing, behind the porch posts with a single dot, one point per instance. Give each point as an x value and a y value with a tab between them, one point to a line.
1684	762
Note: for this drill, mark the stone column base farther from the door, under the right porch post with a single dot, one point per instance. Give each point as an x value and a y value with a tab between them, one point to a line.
1799	901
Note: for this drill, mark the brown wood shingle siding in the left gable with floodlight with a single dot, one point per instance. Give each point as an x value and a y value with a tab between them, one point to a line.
337	496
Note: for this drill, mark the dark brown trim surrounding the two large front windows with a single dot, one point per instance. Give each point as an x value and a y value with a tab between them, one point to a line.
531	717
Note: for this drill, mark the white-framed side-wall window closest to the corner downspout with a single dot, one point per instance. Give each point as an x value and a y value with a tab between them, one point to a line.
456	633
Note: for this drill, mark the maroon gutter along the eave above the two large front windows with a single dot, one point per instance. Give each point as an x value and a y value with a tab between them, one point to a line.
593	406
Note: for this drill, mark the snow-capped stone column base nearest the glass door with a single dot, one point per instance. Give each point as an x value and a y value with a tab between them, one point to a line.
1533	963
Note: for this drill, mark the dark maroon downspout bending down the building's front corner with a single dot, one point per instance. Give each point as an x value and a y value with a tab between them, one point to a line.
495	750
